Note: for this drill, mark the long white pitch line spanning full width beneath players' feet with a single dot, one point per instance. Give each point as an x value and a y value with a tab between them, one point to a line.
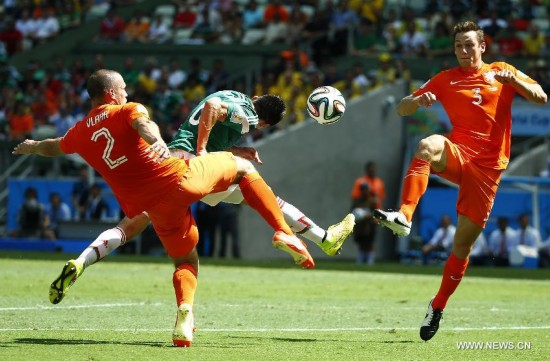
352	329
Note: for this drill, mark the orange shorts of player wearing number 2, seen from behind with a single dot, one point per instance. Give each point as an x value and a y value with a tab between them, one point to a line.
171	216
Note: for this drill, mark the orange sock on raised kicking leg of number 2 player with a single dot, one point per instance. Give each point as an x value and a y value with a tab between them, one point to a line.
259	196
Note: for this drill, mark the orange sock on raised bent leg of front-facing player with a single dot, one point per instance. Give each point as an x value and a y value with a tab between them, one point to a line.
414	186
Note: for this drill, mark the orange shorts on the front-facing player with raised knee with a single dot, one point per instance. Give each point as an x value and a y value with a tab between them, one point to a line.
477	185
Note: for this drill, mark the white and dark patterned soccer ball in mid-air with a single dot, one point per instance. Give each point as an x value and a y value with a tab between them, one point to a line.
326	105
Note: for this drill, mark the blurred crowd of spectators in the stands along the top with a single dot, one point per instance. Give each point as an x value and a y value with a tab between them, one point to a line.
45	100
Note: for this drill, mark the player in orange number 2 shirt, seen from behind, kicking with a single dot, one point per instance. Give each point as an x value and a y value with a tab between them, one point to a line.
120	142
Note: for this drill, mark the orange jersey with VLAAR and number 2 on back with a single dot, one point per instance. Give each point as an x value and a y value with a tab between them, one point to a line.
106	140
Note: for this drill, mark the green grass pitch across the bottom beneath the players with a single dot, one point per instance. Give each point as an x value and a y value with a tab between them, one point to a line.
124	308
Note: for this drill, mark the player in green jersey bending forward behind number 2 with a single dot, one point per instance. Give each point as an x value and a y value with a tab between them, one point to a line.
217	123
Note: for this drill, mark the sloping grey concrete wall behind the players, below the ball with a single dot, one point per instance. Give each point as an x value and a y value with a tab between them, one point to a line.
313	167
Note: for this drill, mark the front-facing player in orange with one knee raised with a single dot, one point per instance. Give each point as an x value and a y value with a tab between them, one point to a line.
478	99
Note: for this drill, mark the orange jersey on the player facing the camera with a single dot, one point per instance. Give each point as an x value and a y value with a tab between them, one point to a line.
479	108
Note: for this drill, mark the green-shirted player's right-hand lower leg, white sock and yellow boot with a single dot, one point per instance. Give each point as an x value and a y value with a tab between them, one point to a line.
330	241
